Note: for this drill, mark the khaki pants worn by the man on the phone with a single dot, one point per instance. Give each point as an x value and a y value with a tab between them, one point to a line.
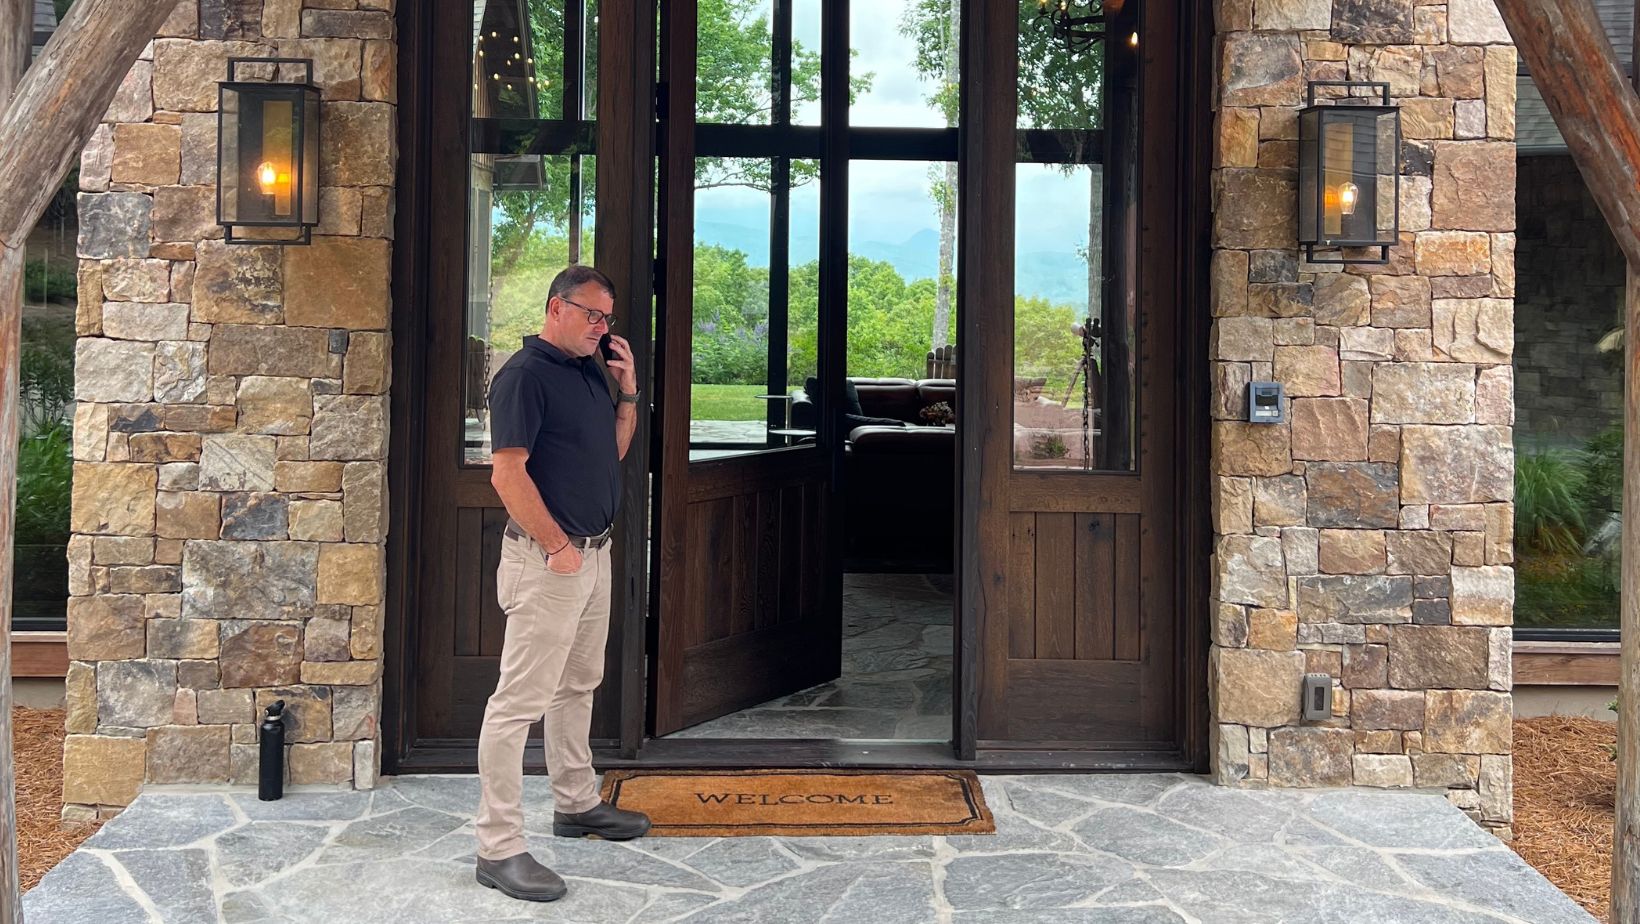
552	662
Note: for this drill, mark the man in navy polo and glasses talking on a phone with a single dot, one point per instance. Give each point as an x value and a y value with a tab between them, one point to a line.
558	439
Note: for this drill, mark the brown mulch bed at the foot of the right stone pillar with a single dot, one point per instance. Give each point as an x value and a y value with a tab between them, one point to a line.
1565	789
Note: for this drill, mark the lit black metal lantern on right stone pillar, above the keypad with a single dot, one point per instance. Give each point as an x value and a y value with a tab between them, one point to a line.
1349	175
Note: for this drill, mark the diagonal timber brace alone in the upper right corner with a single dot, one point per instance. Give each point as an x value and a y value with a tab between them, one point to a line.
1597	111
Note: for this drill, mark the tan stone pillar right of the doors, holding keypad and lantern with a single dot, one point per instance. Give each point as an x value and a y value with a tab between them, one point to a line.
1370	537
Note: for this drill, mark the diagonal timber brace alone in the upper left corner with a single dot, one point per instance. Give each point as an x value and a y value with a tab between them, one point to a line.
63	98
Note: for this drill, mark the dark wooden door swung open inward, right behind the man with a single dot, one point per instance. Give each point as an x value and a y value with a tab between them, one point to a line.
747	556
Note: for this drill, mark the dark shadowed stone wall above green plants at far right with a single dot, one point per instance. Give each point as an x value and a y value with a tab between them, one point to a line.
1569	296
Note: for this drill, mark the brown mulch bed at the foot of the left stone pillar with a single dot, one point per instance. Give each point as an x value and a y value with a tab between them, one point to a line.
42	843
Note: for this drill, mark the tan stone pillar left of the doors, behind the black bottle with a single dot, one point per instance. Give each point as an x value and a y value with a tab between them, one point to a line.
230	437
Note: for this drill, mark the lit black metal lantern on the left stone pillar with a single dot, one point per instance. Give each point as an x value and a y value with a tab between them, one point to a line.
268	153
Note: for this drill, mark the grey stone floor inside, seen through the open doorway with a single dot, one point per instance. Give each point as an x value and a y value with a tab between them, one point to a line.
896	672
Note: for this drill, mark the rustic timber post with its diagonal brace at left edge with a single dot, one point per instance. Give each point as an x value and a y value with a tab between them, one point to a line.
52	114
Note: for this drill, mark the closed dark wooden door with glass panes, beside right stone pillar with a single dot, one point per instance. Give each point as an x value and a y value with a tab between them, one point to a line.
1075	554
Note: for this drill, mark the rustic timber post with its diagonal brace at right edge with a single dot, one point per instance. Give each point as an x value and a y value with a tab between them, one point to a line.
1598	112
